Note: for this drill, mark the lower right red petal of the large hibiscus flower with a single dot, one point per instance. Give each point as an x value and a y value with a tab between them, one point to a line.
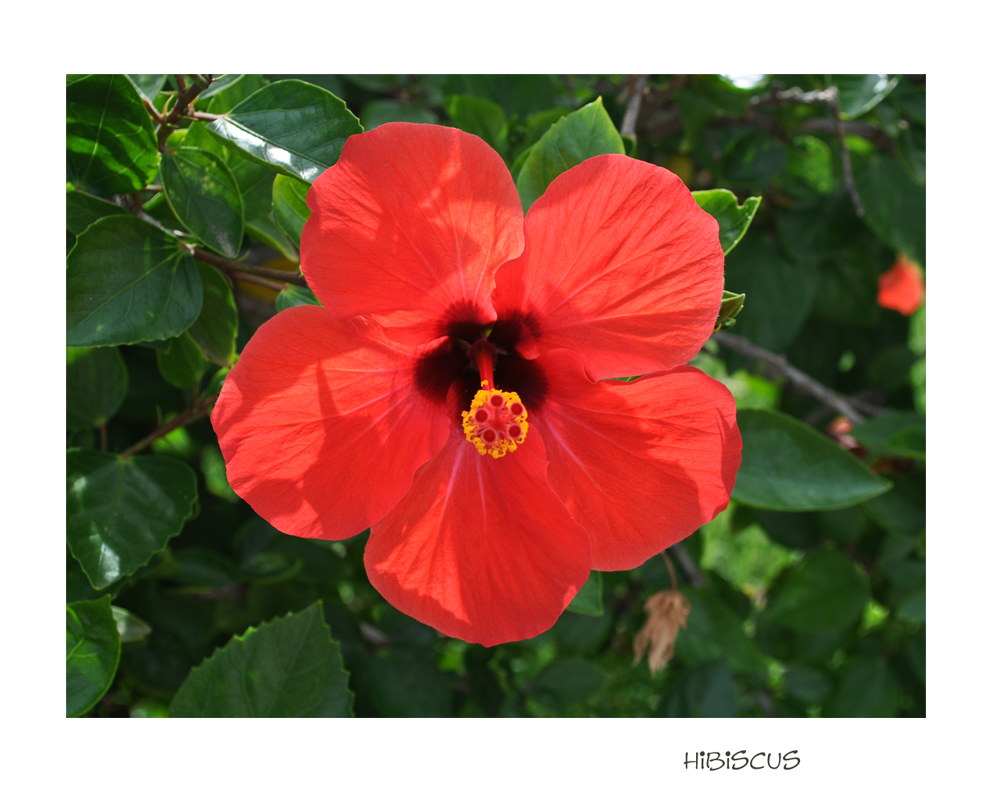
640	465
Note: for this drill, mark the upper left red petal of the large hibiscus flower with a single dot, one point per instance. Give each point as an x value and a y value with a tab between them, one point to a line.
410	225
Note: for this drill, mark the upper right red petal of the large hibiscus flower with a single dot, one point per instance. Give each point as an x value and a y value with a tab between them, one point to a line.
620	264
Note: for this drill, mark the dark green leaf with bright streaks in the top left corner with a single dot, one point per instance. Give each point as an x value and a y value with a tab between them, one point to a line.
110	146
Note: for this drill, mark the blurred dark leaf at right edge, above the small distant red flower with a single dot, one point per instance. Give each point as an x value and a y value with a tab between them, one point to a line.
895	206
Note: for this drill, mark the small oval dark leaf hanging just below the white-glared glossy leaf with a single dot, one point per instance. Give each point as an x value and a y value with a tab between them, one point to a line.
202	192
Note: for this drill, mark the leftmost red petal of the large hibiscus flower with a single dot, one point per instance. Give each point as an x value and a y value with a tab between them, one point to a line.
322	425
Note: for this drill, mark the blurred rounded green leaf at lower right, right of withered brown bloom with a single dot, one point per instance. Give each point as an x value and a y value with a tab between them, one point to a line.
826	590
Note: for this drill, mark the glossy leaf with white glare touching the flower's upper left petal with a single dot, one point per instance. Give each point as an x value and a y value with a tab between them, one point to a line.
289	126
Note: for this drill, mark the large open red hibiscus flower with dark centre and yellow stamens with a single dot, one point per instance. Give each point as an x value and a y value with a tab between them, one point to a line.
452	393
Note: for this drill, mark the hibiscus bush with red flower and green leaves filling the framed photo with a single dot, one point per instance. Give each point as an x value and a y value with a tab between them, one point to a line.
395	395
